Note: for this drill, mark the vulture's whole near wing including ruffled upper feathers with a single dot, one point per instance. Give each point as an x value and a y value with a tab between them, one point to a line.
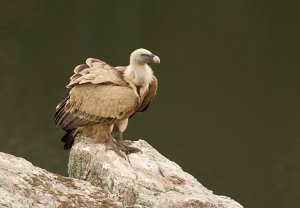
98	94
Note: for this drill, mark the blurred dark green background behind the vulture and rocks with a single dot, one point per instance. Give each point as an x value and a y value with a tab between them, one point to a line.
227	109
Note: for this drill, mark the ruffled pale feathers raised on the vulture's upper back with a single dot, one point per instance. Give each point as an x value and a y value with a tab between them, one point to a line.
96	71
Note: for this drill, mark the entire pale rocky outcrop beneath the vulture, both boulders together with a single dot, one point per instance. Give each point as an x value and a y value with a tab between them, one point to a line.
103	179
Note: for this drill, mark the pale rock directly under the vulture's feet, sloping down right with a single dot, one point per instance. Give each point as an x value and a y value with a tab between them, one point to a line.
146	179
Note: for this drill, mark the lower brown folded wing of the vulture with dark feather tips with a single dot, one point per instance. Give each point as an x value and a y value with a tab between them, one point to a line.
90	103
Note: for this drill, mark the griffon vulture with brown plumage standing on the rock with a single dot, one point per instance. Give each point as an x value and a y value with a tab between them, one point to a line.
102	98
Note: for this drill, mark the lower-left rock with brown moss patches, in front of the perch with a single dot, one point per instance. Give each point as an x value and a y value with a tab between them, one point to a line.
23	185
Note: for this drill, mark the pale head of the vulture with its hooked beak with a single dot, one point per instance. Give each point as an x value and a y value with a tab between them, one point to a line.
142	56
